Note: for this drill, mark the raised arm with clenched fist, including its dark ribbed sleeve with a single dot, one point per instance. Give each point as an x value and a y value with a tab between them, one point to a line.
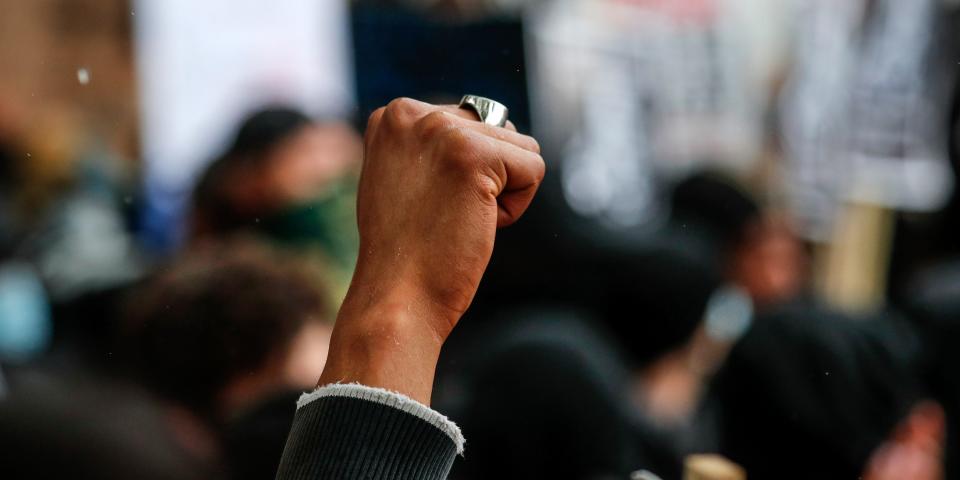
434	188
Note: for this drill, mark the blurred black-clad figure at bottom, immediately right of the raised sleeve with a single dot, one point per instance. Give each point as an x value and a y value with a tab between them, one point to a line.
543	393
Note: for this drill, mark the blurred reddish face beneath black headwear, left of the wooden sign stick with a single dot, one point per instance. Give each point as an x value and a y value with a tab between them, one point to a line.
770	263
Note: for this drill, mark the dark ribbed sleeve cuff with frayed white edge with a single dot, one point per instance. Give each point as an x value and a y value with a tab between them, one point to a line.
354	431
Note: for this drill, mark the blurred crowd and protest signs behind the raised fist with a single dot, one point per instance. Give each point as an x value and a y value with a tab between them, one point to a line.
747	243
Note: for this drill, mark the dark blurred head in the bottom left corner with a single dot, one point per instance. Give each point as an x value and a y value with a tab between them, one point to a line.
99	430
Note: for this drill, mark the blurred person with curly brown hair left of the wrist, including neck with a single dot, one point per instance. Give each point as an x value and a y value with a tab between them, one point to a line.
229	335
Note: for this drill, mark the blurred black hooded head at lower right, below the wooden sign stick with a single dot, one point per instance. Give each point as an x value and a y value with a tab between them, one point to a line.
809	393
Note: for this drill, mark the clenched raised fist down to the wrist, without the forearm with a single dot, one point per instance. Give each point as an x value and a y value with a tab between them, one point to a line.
435	186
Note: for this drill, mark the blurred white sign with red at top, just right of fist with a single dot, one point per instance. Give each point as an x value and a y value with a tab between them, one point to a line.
637	94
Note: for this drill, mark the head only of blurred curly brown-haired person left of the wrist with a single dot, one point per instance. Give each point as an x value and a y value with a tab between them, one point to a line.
219	330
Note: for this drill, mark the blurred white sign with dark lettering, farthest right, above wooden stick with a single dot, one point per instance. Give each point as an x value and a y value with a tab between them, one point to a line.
862	113
